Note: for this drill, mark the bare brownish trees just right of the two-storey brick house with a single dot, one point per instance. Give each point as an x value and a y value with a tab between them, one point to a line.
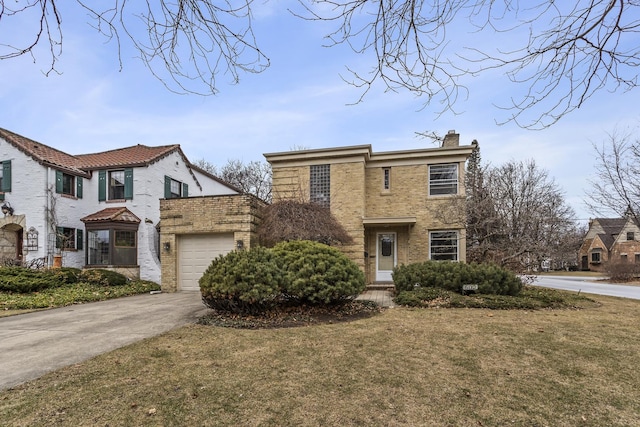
517	217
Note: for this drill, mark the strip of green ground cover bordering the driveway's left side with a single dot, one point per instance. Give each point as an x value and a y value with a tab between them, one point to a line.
15	303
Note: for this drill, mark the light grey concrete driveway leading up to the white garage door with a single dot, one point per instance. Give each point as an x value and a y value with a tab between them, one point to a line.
35	343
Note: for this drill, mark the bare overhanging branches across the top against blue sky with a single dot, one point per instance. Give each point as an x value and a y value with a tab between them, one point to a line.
561	52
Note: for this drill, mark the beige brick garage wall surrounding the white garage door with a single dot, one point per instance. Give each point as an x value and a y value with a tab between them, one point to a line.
238	214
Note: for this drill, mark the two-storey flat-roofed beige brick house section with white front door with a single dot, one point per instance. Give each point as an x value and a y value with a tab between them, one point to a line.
400	207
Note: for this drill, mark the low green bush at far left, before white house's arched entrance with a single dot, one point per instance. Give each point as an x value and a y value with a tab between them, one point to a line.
25	280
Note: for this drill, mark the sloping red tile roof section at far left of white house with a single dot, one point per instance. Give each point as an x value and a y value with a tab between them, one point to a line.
44	154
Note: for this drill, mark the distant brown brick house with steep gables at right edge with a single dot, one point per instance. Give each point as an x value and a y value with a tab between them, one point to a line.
610	239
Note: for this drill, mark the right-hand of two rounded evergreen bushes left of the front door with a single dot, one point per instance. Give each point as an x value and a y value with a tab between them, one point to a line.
318	274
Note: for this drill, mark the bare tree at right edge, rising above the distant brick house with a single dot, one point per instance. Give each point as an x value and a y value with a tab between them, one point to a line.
616	187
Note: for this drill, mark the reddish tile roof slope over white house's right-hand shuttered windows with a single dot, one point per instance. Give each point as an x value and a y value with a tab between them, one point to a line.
138	155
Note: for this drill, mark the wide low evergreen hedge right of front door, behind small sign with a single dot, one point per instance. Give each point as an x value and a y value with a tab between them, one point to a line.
451	276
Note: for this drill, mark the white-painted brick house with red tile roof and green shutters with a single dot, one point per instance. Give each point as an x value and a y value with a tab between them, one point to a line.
92	210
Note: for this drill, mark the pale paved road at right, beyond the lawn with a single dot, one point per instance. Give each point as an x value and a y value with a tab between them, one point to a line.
588	285
